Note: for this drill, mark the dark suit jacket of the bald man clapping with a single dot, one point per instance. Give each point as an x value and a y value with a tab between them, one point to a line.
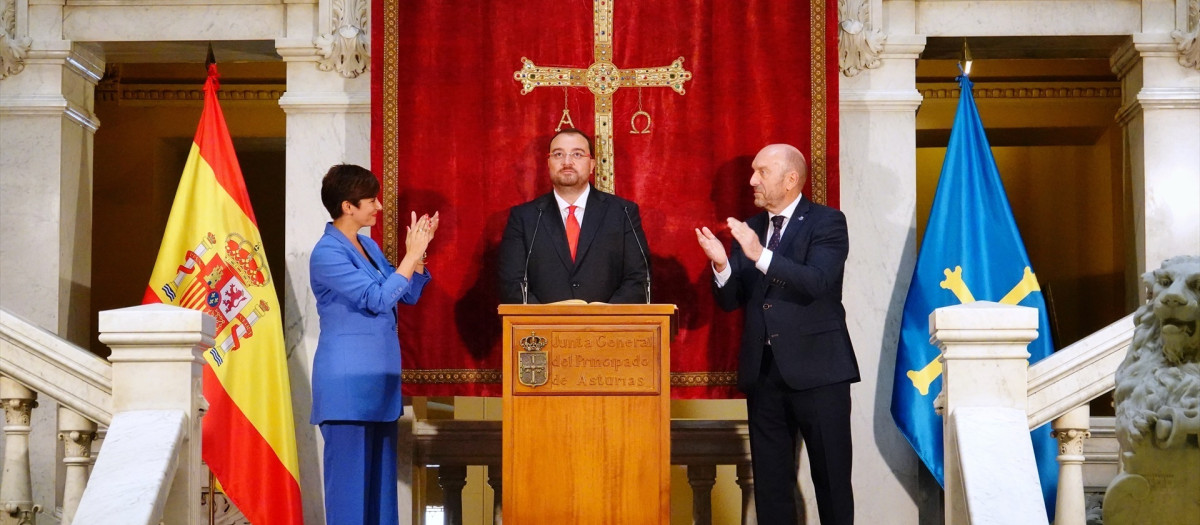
797	304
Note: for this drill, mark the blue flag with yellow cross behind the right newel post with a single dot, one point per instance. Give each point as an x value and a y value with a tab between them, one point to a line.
971	251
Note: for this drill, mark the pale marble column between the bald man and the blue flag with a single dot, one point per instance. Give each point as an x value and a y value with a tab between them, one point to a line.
879	195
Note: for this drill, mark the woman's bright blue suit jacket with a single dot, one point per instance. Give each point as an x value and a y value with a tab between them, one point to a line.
356	373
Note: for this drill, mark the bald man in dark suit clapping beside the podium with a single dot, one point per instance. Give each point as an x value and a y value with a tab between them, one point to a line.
796	363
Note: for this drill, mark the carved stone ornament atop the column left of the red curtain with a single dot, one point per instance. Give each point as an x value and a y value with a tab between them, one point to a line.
346	49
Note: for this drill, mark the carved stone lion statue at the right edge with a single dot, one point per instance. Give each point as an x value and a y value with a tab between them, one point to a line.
1159	403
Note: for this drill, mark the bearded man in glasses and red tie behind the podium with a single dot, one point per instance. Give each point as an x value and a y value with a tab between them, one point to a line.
574	243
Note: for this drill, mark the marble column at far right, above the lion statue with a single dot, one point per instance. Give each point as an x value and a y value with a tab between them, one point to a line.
1161	118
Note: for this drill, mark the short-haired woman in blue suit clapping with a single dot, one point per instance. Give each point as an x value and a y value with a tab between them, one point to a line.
356	375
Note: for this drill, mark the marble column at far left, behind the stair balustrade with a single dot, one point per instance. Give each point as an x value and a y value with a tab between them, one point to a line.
46	140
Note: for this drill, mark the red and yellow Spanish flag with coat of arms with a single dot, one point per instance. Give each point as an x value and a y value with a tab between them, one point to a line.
212	260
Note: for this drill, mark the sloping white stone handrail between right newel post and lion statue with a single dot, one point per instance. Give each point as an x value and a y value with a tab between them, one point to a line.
1079	373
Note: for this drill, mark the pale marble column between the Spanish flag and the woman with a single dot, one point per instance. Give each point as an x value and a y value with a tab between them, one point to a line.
328	123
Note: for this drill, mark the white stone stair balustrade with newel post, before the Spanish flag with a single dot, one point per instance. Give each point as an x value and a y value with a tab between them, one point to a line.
154	379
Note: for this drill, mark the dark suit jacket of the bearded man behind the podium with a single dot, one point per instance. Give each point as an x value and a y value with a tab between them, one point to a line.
609	265
